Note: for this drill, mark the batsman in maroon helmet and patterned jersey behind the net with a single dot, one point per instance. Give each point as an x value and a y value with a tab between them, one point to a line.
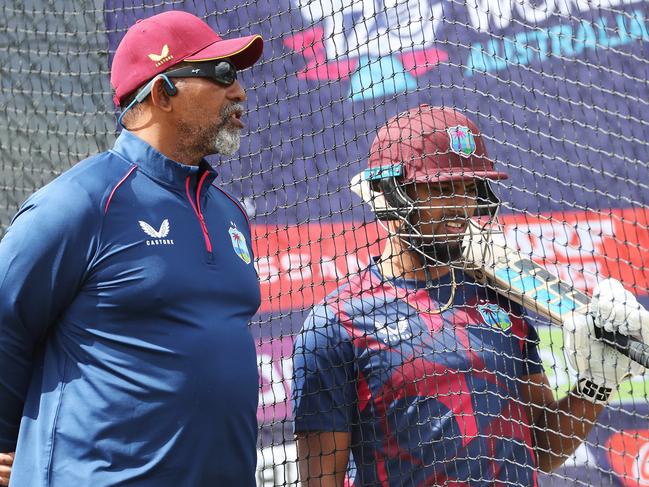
412	373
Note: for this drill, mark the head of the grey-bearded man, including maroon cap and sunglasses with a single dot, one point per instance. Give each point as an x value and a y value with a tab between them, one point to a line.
180	79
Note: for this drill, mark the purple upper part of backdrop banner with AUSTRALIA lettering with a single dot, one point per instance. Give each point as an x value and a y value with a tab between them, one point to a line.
573	143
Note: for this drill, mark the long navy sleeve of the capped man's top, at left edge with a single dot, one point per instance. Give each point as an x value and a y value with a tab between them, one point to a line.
43	259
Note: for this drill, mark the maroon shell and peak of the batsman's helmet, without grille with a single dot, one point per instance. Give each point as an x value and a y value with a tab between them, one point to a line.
431	144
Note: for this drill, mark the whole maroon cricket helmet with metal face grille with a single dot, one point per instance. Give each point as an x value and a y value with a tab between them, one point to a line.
430	145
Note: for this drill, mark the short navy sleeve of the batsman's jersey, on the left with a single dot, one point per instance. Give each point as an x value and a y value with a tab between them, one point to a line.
324	386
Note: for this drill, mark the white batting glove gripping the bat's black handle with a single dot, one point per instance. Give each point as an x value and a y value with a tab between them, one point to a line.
598	366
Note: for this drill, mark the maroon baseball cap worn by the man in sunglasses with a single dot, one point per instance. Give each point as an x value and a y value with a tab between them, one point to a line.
153	45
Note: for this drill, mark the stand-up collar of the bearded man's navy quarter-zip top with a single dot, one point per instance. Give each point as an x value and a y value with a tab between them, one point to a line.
155	164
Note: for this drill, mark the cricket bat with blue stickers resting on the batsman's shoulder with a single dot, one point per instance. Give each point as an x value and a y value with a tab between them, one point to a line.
529	284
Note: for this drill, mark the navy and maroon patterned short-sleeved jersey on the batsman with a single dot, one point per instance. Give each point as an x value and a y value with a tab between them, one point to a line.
429	399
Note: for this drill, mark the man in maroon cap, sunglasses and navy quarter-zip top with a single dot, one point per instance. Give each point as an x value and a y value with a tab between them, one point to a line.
127	285
